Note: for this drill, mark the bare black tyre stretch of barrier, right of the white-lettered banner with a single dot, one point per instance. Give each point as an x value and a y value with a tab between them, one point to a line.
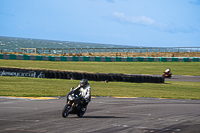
105	77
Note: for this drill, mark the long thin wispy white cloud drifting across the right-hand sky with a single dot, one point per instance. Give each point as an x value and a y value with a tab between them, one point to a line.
147	21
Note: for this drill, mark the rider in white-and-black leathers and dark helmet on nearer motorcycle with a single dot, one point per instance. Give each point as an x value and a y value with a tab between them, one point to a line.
85	91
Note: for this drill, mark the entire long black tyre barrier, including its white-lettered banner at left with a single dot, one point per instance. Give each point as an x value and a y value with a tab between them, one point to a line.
115	77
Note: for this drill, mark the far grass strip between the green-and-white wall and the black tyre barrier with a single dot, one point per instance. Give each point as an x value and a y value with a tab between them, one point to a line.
178	68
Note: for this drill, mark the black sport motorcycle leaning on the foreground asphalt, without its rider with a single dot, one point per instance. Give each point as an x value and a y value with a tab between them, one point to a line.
74	104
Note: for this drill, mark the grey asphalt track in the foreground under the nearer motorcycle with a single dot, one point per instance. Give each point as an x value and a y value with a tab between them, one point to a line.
104	115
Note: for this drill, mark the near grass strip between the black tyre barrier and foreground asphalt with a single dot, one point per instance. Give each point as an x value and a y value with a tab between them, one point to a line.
35	87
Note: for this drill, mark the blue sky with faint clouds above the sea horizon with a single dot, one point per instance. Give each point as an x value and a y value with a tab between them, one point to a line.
147	23
